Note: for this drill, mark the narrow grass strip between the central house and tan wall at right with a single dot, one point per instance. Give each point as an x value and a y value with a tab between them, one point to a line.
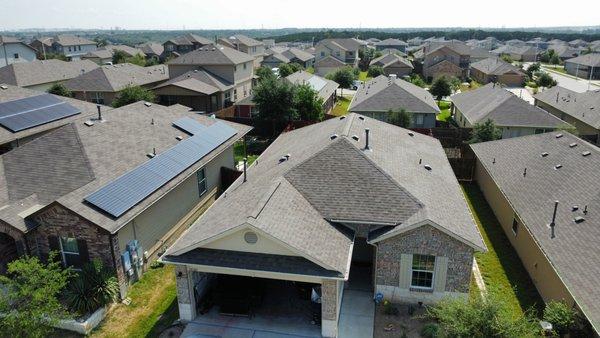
501	268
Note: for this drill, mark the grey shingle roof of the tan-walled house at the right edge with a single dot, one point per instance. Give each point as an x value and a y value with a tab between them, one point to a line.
574	251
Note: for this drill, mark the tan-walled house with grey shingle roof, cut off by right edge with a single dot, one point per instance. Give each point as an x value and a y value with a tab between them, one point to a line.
543	190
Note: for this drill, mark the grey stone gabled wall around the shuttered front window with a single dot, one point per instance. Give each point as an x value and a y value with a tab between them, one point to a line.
425	240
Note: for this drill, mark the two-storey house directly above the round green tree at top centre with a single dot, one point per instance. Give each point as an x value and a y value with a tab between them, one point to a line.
332	54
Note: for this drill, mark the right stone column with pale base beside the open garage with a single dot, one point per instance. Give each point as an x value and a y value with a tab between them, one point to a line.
331	300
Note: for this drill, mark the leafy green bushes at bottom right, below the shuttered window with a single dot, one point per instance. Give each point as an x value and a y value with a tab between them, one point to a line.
481	318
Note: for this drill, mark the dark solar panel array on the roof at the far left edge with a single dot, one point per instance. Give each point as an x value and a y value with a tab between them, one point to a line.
34	111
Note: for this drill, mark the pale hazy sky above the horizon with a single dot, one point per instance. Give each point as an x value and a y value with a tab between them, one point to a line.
246	14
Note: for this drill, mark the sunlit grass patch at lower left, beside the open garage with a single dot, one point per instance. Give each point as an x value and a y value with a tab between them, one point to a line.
153	307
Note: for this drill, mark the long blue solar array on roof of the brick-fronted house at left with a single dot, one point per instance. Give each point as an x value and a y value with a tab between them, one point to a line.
123	193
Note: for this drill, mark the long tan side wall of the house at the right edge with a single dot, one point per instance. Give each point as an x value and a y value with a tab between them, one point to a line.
539	268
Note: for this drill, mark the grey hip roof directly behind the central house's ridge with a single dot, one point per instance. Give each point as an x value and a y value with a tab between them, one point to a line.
383	93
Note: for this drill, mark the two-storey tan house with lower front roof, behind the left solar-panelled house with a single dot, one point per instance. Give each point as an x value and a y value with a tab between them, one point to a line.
208	79
